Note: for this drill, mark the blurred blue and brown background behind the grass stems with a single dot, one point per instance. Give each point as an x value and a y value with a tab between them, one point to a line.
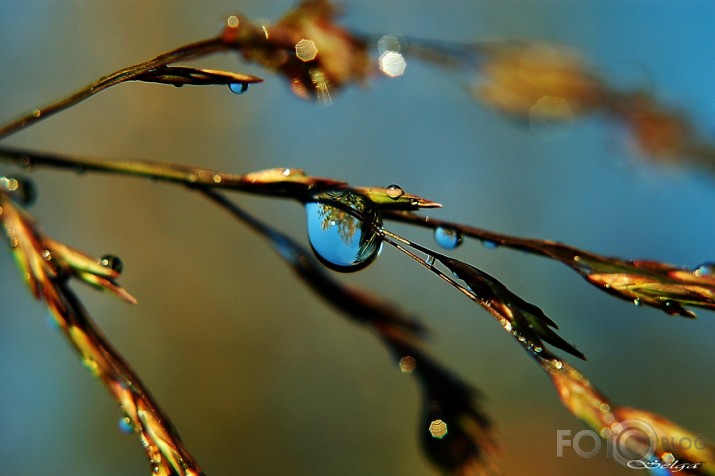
258	374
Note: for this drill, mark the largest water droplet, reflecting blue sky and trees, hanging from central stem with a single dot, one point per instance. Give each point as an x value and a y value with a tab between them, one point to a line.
341	240
